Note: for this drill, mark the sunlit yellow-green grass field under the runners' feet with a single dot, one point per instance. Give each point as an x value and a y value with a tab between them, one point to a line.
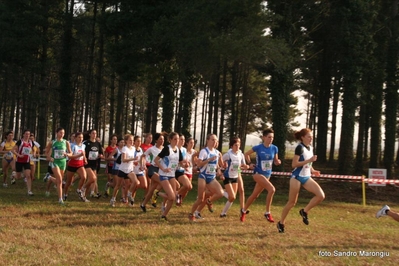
37	231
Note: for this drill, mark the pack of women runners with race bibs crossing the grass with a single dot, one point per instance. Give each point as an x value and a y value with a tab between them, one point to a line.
164	171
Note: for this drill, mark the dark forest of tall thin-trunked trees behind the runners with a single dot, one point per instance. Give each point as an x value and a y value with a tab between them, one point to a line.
127	66
